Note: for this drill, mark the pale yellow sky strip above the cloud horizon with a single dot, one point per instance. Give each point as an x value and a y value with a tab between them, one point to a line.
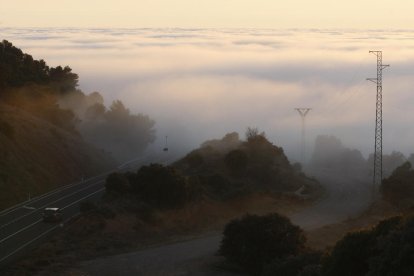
209	13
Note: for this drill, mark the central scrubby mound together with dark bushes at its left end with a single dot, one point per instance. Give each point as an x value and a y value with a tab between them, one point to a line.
219	171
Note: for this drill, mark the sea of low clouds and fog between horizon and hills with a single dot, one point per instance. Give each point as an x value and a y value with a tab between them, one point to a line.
199	84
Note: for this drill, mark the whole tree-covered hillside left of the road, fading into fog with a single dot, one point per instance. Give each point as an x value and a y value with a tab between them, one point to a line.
52	133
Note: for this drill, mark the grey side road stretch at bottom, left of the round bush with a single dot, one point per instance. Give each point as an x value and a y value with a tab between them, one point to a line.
195	257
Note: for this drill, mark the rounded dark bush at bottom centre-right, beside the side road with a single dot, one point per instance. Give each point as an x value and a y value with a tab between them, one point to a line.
254	241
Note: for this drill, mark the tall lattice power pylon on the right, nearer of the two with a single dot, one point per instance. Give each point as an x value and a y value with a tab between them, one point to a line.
377	179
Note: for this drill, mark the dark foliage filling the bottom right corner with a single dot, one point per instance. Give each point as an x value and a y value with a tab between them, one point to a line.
387	249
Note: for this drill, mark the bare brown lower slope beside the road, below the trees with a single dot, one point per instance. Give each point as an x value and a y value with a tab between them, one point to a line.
37	156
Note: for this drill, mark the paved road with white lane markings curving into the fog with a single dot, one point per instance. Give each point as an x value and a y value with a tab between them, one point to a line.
22	228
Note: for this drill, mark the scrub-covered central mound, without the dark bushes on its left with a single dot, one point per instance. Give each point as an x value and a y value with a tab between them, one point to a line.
229	167
